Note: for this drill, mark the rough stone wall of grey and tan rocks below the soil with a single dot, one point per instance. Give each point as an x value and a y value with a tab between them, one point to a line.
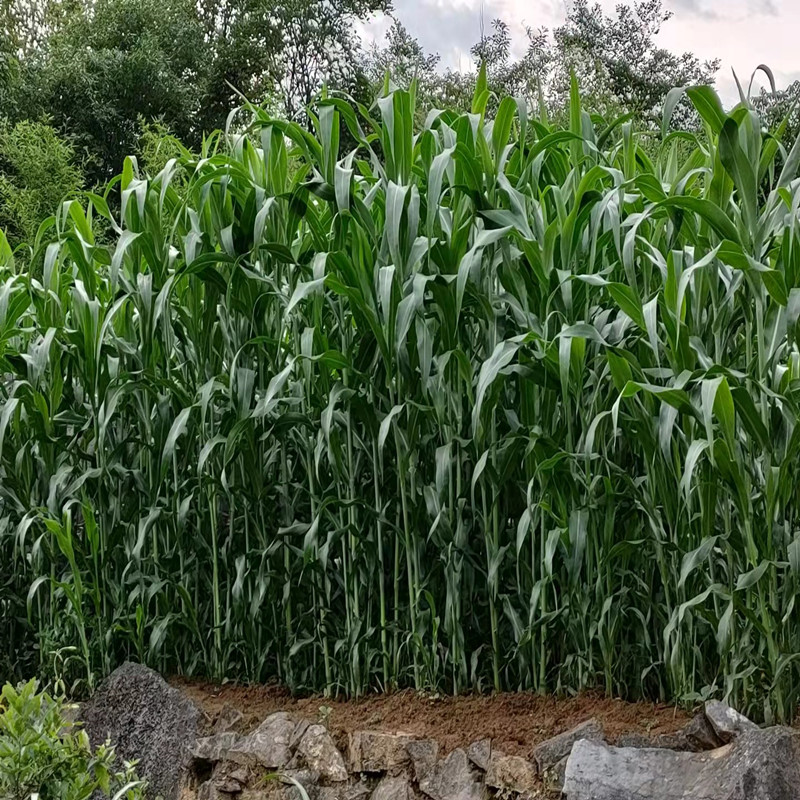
719	755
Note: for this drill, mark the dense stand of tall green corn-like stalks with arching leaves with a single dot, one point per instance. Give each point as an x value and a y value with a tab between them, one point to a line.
487	403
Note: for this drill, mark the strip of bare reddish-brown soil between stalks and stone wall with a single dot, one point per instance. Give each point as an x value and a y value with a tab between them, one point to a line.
515	722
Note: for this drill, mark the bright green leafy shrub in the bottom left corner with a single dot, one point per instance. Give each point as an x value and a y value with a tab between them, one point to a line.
44	753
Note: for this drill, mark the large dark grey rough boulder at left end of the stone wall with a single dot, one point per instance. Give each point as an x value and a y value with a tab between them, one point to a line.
148	721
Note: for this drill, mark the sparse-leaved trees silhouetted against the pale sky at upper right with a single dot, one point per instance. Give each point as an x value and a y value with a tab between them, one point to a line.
616	59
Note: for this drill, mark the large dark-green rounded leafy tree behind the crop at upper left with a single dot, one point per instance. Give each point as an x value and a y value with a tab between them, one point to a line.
116	62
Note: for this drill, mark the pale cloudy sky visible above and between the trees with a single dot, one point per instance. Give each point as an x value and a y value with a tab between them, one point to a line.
742	33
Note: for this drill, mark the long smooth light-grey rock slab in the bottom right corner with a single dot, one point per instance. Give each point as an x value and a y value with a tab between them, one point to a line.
758	765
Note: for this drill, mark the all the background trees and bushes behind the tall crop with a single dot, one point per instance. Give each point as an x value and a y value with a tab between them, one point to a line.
97	72
